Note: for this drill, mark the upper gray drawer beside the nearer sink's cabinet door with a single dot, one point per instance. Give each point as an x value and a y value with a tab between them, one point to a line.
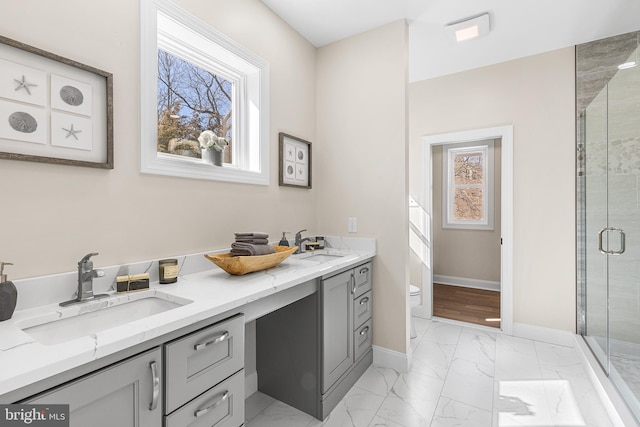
200	360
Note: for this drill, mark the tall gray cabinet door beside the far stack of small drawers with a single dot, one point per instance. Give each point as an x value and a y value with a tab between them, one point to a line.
337	327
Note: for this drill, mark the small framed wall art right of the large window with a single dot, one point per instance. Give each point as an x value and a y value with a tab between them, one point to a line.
295	161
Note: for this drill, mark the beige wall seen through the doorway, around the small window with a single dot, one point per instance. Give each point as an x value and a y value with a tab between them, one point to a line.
468	254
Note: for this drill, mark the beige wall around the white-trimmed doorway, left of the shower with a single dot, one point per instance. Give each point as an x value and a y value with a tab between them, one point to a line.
537	96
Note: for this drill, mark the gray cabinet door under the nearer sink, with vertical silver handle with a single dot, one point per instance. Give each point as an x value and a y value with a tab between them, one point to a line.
126	394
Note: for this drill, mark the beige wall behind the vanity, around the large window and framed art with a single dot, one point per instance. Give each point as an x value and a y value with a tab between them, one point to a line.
53	215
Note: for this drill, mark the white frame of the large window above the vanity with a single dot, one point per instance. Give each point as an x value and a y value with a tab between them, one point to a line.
166	26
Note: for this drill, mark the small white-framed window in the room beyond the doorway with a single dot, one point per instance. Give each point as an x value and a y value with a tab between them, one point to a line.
468	186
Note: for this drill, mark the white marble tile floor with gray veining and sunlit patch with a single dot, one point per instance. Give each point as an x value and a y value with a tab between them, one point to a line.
461	376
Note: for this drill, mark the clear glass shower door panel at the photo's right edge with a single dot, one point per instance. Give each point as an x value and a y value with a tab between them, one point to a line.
624	222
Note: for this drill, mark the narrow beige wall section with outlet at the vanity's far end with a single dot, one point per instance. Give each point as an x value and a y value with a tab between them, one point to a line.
362	169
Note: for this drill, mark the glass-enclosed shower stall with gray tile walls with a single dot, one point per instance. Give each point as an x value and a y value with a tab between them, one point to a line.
608	207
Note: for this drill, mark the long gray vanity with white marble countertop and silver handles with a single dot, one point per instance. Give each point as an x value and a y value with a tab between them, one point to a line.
186	364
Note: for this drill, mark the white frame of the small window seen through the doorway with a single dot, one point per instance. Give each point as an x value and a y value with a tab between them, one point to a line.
449	152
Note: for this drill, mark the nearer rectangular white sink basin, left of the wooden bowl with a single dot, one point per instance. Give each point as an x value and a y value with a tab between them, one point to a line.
88	318
